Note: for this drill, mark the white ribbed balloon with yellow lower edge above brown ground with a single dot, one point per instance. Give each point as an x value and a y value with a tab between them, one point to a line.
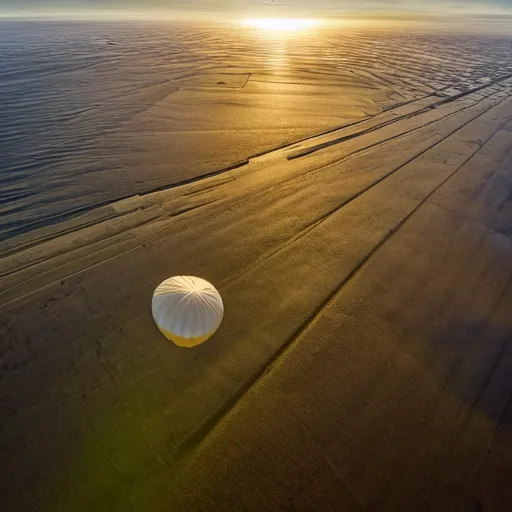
187	310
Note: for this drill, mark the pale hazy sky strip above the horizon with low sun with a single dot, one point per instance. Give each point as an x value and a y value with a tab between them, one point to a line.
264	8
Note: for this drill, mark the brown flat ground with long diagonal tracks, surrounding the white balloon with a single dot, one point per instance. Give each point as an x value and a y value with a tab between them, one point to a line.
364	360
